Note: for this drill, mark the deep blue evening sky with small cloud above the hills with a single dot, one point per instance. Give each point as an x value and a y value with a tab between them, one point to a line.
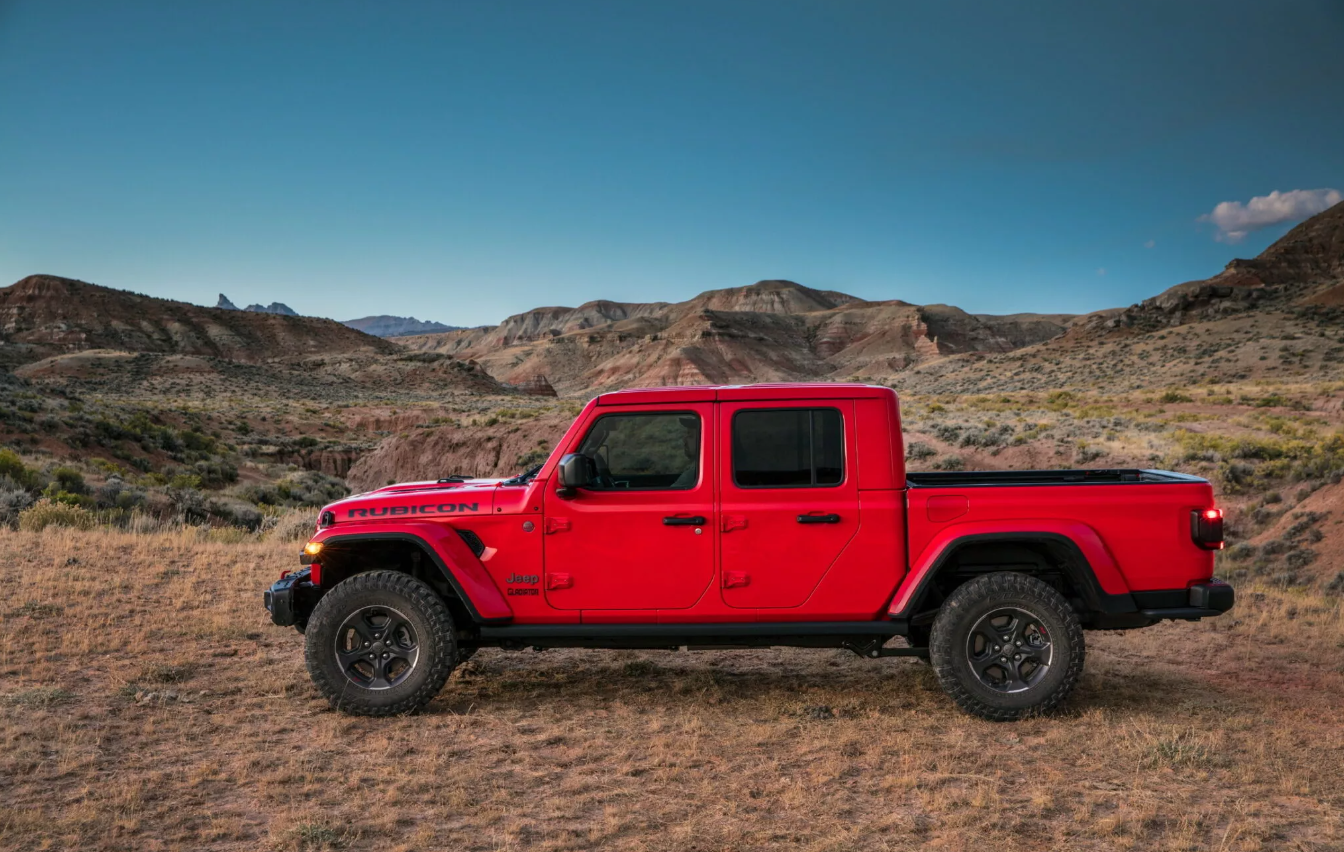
464	162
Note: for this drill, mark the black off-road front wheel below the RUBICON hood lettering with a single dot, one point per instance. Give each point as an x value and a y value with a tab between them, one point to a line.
423	626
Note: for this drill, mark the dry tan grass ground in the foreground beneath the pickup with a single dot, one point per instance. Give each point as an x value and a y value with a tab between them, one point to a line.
146	704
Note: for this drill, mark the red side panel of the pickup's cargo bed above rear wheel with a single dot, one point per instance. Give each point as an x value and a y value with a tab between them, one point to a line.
1143	527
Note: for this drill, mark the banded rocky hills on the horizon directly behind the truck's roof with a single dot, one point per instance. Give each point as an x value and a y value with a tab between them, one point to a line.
772	331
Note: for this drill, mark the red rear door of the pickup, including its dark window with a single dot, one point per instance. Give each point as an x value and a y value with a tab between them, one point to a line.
790	498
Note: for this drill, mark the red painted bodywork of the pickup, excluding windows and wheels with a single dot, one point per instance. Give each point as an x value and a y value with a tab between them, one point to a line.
605	557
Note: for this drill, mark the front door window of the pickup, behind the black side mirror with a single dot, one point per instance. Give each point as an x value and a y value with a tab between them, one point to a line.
659	451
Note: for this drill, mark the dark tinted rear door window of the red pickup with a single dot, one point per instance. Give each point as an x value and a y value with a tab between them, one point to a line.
788	448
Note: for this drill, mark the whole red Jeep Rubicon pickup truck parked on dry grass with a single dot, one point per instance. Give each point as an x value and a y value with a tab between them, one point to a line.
744	518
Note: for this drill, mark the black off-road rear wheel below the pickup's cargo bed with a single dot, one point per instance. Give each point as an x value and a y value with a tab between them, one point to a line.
1001	691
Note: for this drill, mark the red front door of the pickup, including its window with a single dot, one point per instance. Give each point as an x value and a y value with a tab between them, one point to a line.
642	536
